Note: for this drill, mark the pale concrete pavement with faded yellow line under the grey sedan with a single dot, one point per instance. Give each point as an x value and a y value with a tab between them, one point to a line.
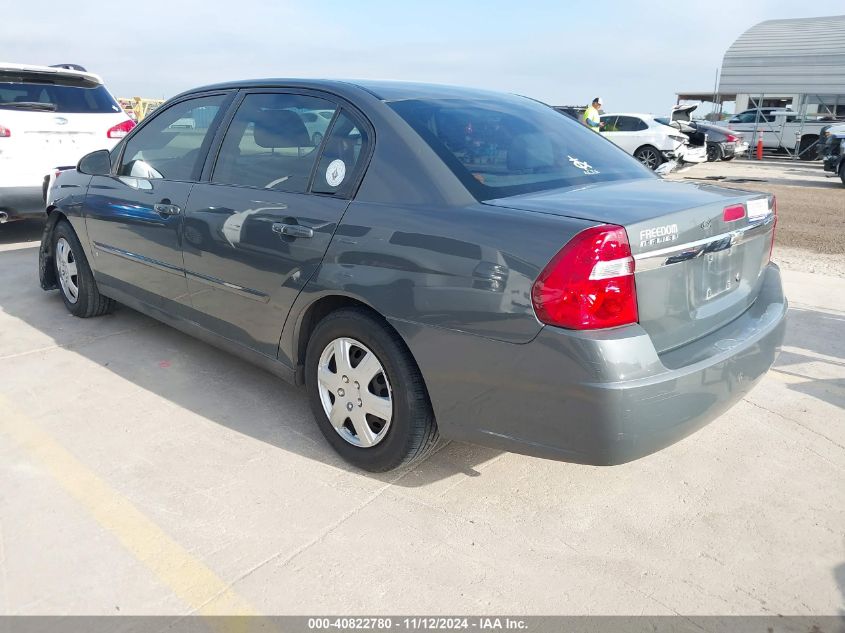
144	472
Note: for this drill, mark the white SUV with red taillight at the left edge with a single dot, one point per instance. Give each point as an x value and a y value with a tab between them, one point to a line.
49	117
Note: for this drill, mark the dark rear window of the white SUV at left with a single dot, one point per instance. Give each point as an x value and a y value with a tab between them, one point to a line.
55	98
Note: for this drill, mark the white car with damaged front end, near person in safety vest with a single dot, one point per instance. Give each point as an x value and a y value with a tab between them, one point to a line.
648	140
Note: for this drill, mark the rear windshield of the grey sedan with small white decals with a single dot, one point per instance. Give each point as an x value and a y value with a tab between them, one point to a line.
509	146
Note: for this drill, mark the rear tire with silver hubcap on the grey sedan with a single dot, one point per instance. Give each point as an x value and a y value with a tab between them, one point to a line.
383	444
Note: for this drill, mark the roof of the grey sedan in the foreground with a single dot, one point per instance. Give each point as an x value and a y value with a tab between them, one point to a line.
383	90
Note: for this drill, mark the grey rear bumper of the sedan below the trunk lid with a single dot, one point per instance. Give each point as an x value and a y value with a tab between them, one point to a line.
601	398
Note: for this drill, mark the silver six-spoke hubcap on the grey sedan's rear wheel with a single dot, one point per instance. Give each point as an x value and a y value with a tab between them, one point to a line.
354	391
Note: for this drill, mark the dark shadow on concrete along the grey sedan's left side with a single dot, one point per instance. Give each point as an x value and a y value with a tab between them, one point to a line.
201	378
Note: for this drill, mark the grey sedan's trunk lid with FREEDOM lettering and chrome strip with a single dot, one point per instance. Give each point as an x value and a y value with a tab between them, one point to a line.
700	250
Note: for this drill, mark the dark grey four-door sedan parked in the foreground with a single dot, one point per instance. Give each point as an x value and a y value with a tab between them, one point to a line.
441	262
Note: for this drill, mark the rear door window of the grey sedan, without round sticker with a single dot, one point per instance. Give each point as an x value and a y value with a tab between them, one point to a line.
273	142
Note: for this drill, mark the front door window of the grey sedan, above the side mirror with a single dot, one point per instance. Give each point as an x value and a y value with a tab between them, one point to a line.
170	146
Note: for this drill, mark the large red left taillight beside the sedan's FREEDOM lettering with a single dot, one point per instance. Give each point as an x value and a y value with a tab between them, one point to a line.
589	284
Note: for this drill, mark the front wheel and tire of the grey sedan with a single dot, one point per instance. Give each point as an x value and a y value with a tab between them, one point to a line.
75	280
